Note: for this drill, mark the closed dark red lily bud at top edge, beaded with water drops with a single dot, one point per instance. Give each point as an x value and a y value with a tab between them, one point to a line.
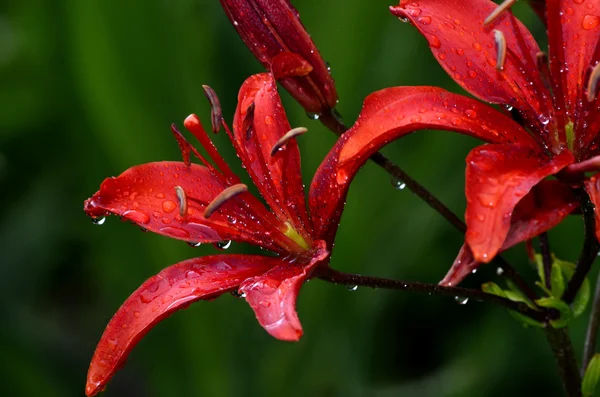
272	27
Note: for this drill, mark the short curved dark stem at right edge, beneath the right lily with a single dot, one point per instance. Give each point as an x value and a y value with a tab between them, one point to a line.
589	251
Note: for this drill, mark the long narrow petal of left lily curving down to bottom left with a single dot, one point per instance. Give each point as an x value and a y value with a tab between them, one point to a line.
172	289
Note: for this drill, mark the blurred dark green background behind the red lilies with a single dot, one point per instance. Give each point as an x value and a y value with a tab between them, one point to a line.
89	88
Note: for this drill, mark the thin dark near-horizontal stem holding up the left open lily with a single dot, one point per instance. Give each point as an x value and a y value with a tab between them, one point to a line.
337	277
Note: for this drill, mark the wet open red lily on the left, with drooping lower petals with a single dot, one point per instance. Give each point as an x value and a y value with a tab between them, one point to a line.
207	203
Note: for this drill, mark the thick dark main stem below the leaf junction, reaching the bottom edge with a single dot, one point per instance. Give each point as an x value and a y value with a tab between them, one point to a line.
563	351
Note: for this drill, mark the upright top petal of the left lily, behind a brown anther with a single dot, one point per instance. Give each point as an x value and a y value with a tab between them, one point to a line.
278	177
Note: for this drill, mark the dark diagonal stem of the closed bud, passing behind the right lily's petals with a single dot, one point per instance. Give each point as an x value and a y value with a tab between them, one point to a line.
333	122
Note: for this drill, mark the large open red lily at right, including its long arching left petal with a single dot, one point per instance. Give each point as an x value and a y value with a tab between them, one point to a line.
553	129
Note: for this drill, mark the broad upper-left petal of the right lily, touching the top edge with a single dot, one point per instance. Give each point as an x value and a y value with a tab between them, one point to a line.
467	51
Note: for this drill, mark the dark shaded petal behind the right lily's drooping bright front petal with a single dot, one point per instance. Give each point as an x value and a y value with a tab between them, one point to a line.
544	207
